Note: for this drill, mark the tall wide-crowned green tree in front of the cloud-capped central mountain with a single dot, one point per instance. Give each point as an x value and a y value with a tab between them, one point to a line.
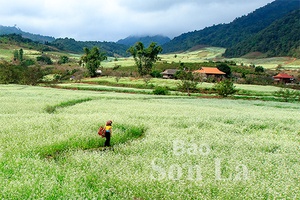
145	57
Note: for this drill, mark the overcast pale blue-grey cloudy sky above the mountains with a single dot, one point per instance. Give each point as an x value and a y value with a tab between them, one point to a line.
111	20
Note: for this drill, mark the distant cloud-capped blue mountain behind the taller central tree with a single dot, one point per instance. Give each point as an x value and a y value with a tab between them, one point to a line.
146	40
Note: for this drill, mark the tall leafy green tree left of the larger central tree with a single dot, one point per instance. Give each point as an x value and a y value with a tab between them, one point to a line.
92	59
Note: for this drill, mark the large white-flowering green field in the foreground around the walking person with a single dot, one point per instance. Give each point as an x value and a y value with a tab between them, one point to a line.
191	148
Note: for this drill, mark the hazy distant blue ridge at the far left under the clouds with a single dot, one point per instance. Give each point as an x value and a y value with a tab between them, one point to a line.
5	30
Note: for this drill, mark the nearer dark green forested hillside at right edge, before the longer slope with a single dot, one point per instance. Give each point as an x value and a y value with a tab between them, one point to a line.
279	39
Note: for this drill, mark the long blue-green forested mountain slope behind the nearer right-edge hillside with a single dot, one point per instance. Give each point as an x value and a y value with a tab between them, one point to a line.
231	34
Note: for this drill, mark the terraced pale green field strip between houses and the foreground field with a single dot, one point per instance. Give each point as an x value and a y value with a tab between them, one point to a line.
136	85
